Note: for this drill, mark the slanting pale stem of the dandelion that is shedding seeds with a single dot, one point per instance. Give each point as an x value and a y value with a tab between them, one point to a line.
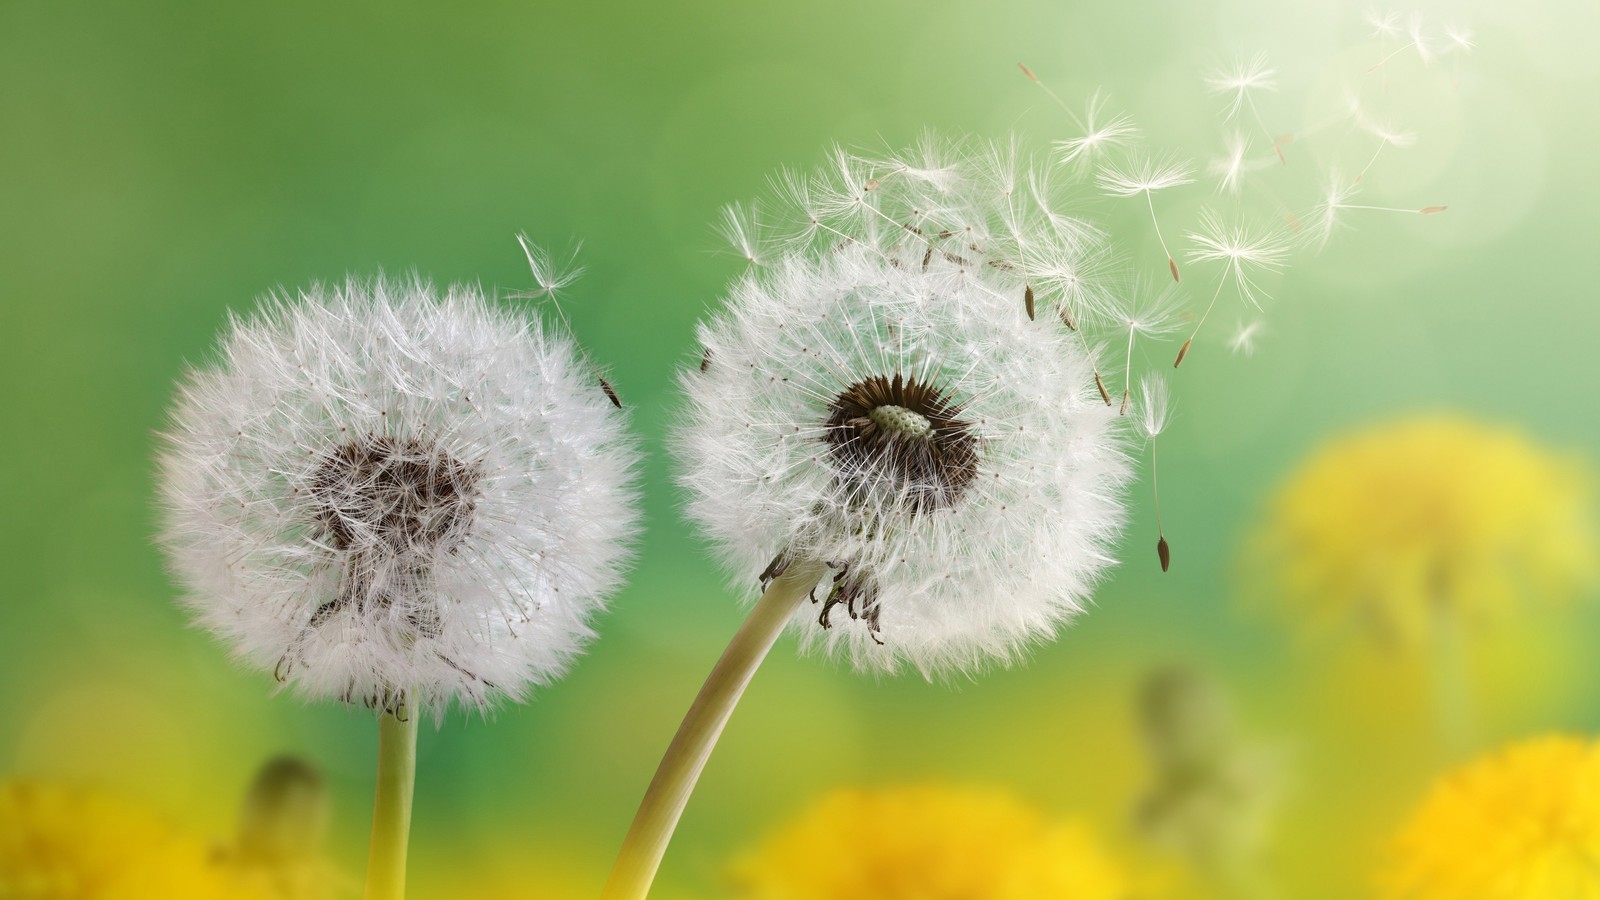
686	760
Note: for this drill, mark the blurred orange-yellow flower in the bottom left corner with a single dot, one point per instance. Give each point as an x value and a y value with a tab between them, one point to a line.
68	843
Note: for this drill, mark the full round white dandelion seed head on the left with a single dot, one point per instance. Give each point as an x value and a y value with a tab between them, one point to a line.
393	496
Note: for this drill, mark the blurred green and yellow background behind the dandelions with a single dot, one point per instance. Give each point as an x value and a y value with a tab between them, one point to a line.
162	164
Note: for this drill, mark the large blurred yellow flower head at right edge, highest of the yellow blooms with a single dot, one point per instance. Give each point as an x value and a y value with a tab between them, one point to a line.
1393	526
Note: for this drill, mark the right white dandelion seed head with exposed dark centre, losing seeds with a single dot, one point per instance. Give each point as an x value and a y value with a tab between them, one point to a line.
884	404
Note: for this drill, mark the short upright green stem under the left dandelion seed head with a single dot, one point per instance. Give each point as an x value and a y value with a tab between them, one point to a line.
393	805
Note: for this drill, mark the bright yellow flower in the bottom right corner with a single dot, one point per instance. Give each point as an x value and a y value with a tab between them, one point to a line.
1519	826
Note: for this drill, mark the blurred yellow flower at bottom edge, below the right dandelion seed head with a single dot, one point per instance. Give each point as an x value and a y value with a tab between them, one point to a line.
929	843
